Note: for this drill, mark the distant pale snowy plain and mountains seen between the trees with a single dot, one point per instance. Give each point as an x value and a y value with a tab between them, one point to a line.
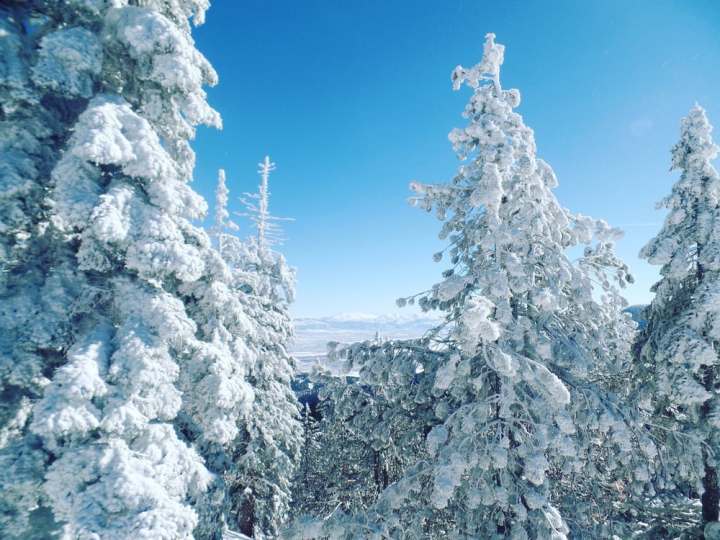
313	334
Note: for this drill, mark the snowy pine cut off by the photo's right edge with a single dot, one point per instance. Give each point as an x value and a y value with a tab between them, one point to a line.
678	357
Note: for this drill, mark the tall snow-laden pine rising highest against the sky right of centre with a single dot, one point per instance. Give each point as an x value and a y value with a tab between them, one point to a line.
505	389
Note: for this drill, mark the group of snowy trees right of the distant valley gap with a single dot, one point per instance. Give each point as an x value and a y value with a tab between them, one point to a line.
537	408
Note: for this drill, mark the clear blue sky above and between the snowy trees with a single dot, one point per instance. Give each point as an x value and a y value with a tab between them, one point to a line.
353	100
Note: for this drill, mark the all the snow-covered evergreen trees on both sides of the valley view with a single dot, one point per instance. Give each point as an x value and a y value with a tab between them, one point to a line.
145	383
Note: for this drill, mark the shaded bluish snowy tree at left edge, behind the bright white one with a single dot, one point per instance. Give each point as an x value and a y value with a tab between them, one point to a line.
37	291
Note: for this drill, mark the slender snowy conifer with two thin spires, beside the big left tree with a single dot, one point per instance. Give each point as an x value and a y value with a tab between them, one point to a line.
260	476
